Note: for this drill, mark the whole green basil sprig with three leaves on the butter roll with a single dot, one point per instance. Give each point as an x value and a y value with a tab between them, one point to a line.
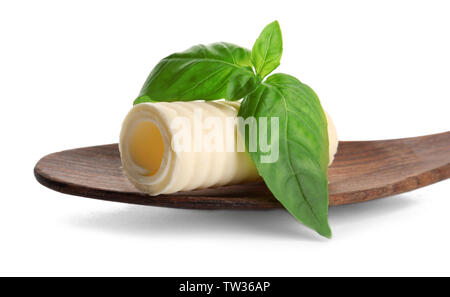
298	179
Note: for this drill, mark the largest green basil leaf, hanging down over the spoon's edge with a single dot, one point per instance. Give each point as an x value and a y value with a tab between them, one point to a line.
298	179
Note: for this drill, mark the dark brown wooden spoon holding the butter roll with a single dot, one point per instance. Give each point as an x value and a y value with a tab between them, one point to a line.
362	171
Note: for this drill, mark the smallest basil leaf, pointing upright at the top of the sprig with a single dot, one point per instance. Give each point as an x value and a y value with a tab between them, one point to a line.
267	50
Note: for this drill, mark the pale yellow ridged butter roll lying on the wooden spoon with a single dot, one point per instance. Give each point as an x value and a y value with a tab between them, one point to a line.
147	143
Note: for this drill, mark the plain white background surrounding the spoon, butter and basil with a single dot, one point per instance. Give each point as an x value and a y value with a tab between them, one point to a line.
69	71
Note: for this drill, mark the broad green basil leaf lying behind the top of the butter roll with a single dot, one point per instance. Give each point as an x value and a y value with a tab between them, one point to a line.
220	70
